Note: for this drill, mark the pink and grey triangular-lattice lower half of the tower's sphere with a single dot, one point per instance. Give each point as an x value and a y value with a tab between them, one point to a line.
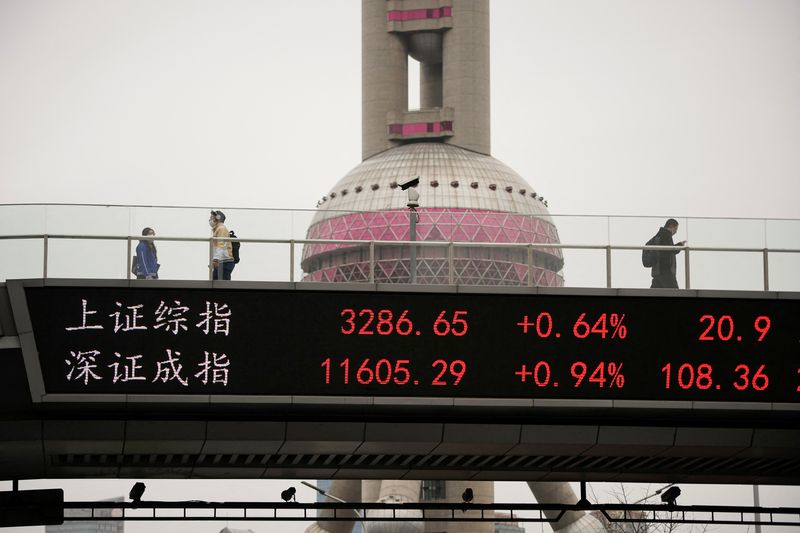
471	266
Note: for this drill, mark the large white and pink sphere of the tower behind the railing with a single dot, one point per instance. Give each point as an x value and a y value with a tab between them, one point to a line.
464	197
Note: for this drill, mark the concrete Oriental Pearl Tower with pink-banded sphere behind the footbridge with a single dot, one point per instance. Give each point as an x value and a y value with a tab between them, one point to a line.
464	195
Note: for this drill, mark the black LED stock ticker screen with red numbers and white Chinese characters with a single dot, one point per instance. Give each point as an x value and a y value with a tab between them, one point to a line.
460	345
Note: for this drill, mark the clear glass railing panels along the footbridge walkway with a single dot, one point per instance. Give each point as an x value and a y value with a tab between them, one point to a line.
96	241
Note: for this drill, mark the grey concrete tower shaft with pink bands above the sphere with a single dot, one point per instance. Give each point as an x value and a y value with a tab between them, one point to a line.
451	42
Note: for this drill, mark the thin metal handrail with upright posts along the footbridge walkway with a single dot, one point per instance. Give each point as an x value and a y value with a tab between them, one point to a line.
450	245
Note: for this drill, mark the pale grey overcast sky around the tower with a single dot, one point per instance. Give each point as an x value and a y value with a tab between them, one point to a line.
642	107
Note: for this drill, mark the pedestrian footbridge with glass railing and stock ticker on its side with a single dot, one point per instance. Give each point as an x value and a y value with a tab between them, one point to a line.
268	376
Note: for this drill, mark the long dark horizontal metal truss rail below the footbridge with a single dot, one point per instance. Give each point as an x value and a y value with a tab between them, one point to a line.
340	511
